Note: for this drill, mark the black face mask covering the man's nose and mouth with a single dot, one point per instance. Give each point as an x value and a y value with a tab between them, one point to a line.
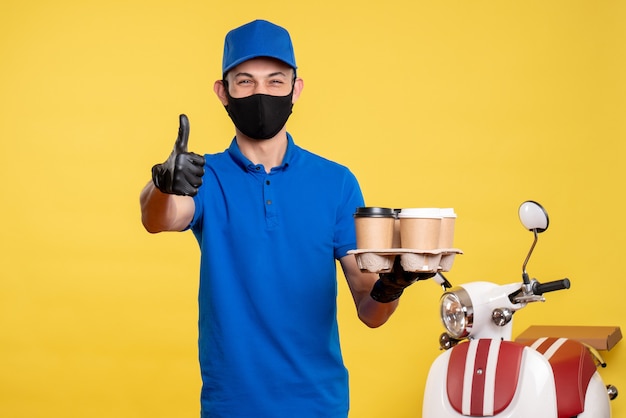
259	116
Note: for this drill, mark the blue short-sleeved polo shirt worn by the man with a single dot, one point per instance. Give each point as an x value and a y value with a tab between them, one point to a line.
268	335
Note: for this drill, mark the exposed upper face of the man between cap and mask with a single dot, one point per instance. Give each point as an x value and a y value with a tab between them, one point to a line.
260	76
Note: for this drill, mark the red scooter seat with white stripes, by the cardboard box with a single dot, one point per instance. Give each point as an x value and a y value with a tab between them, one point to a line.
573	367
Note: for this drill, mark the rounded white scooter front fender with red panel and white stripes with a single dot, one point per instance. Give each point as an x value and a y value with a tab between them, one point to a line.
490	378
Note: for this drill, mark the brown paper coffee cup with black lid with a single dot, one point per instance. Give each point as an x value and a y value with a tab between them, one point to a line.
374	227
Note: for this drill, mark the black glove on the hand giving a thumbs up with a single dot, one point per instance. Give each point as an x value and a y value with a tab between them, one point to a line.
182	172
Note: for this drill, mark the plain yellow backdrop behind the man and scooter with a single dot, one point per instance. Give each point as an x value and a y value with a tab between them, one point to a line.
476	105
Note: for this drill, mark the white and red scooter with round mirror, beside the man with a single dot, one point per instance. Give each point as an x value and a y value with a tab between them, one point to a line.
483	373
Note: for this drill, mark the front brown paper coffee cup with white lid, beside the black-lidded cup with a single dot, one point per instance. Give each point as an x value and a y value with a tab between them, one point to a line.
420	228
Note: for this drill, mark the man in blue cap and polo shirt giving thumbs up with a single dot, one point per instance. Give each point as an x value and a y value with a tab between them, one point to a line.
270	219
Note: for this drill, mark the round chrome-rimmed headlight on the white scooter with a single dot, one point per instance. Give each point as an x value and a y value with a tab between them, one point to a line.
457	312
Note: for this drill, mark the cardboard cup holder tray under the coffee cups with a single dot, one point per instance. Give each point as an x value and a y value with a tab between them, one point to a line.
422	261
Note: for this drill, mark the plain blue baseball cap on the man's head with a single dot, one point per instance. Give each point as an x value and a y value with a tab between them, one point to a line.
258	38
